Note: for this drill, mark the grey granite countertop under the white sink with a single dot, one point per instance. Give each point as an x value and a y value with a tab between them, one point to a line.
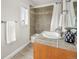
58	43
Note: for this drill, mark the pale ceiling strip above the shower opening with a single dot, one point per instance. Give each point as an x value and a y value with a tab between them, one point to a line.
40	2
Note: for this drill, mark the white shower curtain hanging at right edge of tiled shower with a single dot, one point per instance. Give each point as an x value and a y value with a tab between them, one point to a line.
55	17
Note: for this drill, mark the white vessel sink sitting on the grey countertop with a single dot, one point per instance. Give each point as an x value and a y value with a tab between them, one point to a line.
51	35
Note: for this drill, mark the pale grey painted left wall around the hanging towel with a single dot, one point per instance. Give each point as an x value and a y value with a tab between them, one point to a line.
10	10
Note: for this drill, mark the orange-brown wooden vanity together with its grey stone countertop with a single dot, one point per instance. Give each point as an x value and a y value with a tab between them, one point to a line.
49	50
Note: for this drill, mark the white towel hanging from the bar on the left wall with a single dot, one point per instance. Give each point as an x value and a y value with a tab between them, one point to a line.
10	32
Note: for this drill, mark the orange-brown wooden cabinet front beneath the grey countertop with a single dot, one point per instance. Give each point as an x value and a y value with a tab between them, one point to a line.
42	51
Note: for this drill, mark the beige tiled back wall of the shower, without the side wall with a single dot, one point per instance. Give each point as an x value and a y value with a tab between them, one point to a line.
43	18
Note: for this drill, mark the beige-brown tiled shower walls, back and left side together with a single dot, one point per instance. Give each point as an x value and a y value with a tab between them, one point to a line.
41	19
